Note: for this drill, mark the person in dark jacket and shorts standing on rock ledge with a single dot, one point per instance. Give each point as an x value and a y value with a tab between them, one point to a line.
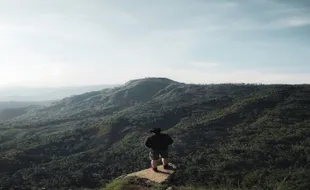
158	143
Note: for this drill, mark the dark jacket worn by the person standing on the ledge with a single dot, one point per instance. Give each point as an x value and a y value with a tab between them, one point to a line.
158	141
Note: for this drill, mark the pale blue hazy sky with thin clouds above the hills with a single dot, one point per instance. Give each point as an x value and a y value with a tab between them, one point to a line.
78	42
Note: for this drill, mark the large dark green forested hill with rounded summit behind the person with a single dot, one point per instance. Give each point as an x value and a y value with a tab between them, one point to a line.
226	135
